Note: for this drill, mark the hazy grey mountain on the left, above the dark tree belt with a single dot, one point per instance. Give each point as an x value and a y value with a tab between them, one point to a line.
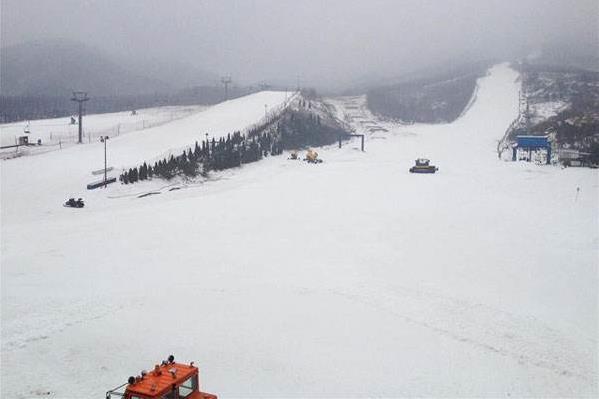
57	67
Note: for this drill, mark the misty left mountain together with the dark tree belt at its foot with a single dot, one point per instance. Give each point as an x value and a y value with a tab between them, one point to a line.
38	79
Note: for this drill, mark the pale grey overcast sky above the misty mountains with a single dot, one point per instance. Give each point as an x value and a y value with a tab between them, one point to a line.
321	40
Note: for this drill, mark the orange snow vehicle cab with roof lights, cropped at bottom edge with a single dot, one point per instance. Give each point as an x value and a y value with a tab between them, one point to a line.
169	380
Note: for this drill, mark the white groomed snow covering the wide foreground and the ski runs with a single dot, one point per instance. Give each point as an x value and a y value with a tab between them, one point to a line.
285	279
